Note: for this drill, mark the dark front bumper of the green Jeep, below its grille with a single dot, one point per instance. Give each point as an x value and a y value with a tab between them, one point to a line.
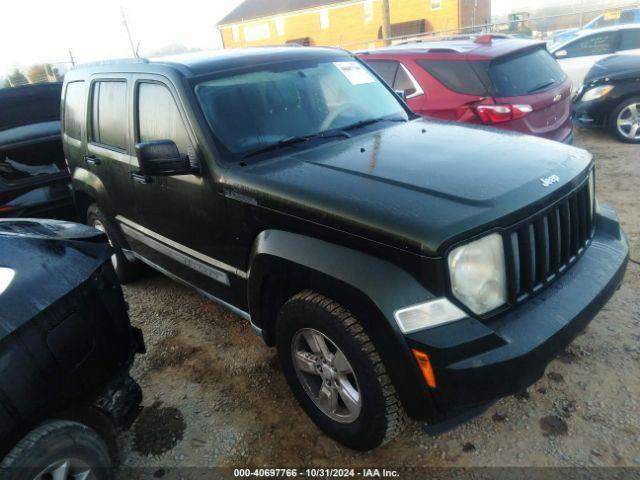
476	363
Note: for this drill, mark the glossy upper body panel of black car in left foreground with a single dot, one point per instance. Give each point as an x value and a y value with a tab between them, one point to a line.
40	262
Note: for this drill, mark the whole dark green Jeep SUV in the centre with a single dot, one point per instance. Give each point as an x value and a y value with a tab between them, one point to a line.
401	265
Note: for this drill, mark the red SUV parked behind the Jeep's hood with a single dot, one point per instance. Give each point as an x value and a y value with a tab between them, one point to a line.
509	83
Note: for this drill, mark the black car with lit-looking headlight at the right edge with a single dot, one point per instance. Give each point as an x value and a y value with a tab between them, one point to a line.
610	97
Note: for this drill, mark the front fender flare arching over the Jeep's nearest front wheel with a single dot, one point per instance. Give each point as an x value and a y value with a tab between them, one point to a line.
371	288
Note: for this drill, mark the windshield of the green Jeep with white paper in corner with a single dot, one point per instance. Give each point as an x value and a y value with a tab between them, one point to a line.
276	106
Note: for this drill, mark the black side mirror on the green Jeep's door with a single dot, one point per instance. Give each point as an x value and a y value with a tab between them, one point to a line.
161	158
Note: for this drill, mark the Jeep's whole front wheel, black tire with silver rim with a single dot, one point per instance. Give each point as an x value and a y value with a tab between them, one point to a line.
377	416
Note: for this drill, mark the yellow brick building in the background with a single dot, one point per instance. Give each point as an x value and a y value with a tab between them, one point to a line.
351	24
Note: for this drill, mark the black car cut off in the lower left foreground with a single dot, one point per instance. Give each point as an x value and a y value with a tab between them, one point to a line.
66	346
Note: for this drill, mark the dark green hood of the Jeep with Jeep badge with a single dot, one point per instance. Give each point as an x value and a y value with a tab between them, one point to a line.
415	185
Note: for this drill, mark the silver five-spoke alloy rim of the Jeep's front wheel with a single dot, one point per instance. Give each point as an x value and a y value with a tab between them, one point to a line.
326	375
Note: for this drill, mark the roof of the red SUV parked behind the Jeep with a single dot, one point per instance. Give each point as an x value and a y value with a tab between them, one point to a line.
470	48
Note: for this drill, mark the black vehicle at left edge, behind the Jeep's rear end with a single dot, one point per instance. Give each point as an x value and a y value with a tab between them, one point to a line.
34	179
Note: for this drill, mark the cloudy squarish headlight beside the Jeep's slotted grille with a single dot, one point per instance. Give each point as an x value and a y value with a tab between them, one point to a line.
477	271
